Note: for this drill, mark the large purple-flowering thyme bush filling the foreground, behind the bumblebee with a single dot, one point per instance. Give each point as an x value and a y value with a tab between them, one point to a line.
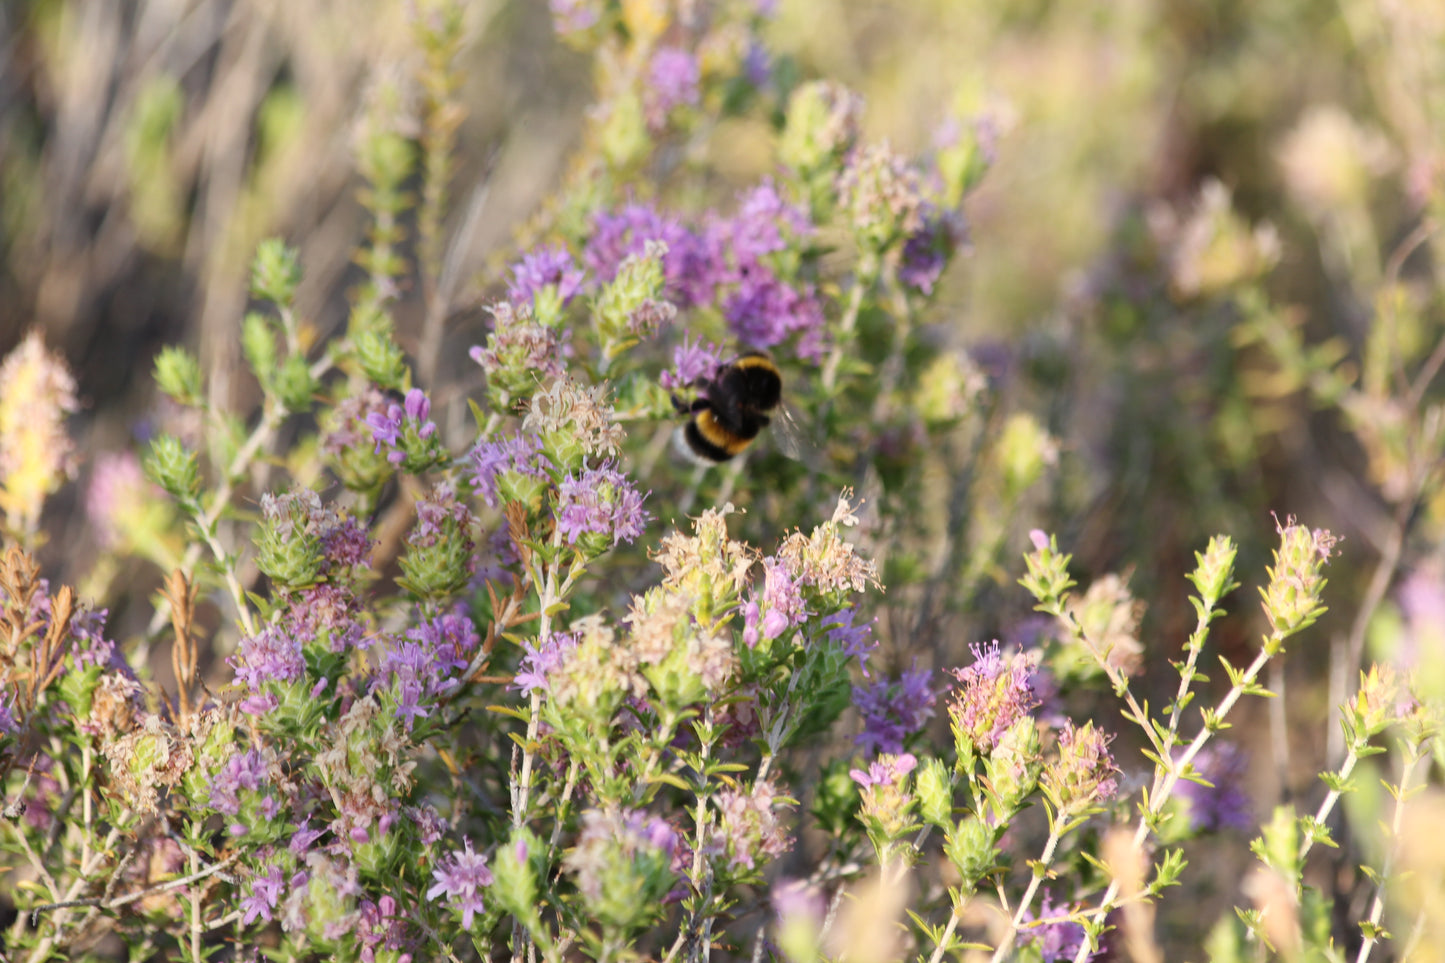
499	693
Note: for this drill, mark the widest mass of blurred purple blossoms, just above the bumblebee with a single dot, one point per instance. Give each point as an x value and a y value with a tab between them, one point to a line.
726	264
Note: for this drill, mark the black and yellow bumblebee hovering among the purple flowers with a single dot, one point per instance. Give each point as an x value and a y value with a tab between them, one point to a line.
735	406
